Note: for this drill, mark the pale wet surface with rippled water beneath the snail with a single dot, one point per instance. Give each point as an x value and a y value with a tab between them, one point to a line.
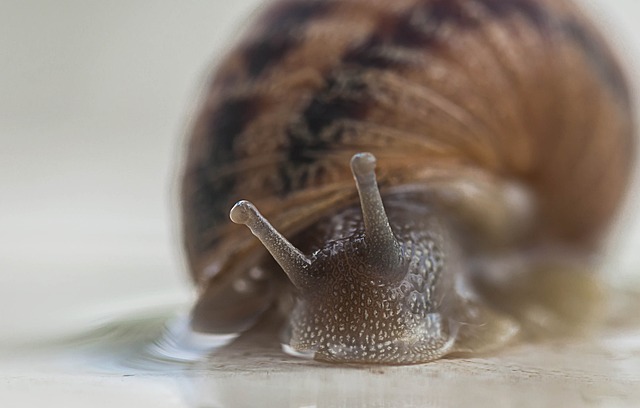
125	358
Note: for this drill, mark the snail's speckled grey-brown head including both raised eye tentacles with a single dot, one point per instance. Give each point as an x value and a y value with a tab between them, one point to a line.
371	296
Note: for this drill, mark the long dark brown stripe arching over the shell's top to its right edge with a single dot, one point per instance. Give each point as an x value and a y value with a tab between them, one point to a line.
419	28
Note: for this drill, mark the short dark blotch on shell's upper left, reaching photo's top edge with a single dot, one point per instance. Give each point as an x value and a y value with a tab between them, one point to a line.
283	31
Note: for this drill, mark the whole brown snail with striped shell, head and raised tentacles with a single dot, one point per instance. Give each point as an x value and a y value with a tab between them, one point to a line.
491	143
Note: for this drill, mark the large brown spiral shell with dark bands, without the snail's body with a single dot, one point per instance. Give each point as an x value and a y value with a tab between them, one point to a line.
443	92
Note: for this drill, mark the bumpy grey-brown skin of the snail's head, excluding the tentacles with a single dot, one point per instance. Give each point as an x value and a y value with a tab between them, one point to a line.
348	315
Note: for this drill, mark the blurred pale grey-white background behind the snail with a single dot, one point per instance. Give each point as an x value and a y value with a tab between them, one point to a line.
95	99
